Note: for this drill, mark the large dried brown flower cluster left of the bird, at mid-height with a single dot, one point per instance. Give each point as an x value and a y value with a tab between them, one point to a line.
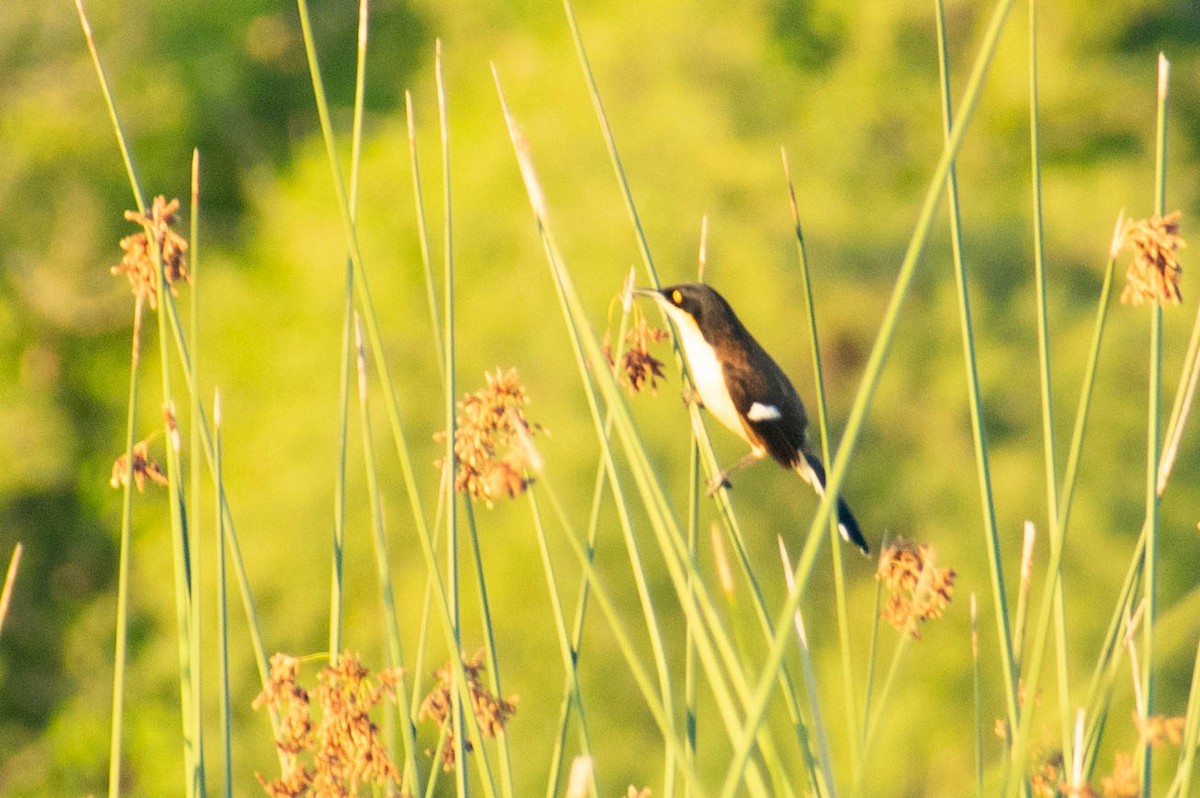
494	441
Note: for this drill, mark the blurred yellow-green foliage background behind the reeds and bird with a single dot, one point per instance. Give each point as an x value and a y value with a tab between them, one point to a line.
701	98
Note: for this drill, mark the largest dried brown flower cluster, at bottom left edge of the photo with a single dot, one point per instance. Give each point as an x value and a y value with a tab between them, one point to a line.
345	746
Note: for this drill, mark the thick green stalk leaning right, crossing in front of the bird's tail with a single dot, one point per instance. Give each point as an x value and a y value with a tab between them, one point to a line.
761	697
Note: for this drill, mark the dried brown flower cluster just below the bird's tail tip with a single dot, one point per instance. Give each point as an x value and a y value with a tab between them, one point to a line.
916	591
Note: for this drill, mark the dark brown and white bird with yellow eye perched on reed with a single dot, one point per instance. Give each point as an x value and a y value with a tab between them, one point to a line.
741	385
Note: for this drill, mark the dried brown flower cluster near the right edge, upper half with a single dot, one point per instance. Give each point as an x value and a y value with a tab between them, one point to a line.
1155	273
